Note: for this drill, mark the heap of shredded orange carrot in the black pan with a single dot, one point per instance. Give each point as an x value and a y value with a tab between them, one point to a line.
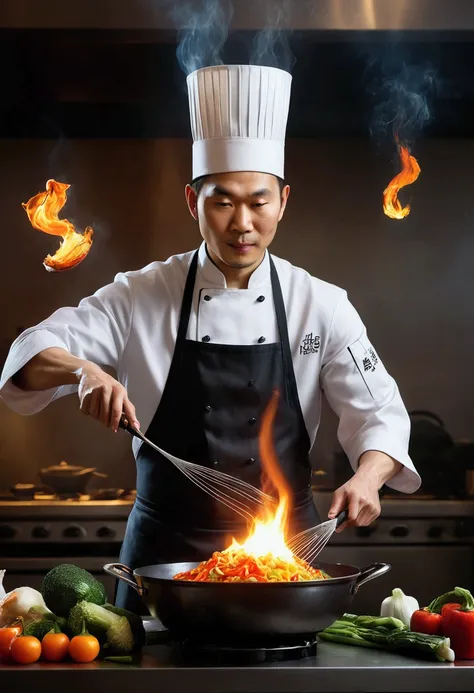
234	565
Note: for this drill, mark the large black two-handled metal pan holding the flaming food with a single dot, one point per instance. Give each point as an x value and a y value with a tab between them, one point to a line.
211	611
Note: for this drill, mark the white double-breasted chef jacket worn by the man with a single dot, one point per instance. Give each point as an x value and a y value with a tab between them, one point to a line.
131	326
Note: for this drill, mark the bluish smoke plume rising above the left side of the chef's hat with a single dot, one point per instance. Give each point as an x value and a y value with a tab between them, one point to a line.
203	27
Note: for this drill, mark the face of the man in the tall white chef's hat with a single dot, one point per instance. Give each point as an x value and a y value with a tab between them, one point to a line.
238	214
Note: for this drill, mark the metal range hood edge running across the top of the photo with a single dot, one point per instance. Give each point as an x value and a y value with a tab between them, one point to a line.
315	15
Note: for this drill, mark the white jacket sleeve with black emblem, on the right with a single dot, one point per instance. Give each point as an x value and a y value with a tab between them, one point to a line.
365	397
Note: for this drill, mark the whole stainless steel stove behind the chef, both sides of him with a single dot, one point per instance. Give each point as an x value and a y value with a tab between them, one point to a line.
428	542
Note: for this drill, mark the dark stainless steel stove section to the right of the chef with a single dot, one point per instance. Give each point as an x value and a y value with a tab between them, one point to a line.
428	542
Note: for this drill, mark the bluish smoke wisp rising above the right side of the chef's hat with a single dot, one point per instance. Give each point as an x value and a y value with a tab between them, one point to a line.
271	46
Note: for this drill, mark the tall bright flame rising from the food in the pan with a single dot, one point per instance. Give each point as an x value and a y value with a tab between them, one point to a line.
269	530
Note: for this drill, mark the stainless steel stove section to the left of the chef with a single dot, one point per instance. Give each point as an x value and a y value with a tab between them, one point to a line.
46	530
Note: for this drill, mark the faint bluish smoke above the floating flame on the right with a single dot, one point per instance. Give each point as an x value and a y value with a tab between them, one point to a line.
403	101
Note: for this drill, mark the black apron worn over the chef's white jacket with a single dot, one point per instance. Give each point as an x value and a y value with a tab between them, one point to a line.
209	414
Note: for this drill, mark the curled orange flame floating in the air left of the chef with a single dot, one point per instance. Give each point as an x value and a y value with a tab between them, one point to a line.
42	211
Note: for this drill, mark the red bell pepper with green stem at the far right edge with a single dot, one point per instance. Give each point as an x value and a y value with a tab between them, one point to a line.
457	617
